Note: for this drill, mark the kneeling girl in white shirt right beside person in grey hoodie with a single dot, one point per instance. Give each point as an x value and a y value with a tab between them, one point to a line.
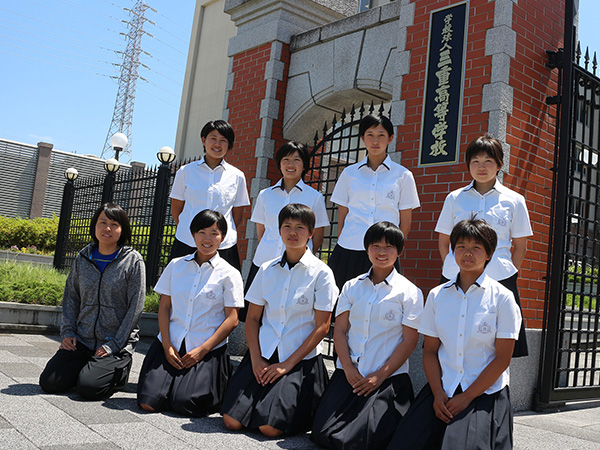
187	367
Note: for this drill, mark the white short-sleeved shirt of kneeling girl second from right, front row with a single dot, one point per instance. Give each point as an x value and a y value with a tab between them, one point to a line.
378	314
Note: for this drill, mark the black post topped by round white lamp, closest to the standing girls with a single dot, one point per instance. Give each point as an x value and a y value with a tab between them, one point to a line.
159	209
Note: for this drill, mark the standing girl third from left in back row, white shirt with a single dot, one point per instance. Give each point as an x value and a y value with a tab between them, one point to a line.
368	192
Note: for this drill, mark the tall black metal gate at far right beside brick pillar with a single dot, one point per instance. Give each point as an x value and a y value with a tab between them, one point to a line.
570	356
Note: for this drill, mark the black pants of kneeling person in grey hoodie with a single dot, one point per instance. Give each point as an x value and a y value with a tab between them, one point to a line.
94	377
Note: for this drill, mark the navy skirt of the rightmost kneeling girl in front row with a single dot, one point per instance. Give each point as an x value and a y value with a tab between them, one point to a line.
487	423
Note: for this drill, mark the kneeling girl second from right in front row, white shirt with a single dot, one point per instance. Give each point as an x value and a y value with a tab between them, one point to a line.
375	332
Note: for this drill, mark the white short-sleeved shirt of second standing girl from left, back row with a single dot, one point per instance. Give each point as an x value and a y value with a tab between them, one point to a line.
269	203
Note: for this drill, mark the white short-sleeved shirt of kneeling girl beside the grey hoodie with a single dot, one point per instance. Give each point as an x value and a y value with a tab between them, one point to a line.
199	295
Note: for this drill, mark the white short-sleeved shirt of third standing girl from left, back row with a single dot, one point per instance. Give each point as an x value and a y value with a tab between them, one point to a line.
372	196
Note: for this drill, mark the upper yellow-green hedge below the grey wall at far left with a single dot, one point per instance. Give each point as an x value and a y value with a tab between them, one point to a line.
38	232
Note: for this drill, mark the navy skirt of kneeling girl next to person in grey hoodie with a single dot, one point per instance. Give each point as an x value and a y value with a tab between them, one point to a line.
193	392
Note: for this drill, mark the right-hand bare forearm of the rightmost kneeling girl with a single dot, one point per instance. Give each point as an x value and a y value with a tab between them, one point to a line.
504	350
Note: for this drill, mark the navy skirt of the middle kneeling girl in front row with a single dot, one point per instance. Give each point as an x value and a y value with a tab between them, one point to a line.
288	404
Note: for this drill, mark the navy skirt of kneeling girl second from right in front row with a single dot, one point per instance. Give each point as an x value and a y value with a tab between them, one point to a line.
345	421
